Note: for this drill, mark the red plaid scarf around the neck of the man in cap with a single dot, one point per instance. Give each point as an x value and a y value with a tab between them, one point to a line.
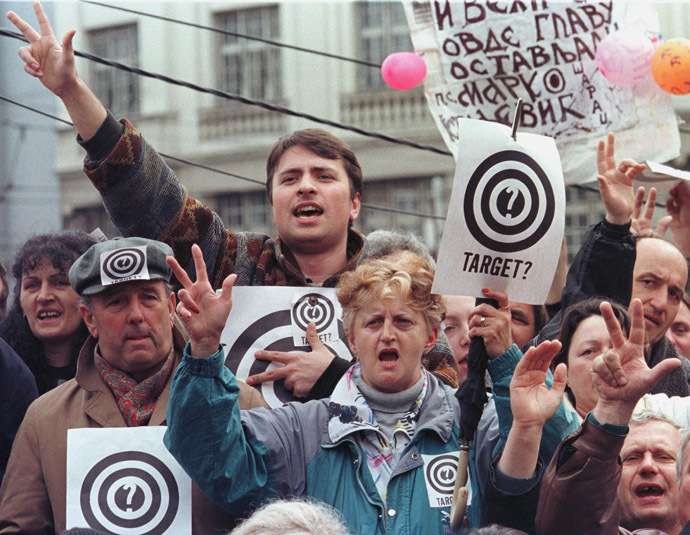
136	401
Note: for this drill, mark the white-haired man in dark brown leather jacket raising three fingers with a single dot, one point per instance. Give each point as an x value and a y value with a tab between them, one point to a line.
584	489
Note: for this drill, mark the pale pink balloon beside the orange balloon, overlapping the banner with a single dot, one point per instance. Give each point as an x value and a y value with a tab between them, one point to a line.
624	57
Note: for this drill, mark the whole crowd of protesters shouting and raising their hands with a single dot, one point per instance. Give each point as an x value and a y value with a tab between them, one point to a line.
585	428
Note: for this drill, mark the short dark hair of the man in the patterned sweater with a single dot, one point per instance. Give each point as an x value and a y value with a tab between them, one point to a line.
319	142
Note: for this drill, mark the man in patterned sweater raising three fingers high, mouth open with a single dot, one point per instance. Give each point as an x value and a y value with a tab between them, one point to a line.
314	183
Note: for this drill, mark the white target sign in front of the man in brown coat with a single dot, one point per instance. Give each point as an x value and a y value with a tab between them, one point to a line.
124	481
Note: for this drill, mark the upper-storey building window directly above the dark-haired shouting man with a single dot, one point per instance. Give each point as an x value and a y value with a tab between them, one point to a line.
247	67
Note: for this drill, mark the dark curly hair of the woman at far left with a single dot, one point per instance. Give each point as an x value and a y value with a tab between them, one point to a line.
62	248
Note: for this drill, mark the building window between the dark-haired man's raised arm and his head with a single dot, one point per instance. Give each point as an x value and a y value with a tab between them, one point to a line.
249	212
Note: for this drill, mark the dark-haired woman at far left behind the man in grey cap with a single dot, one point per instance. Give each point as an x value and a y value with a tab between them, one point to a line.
44	325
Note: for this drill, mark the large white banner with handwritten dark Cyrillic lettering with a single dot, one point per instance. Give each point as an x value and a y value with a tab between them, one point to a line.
482	56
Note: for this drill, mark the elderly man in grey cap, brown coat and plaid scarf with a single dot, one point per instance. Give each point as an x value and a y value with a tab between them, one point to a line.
123	380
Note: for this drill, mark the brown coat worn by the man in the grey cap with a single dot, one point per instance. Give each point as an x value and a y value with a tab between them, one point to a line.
32	496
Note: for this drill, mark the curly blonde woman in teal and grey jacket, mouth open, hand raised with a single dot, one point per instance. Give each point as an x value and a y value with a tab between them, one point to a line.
383	449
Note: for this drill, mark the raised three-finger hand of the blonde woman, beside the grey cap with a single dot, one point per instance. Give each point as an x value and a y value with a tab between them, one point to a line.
203	312
